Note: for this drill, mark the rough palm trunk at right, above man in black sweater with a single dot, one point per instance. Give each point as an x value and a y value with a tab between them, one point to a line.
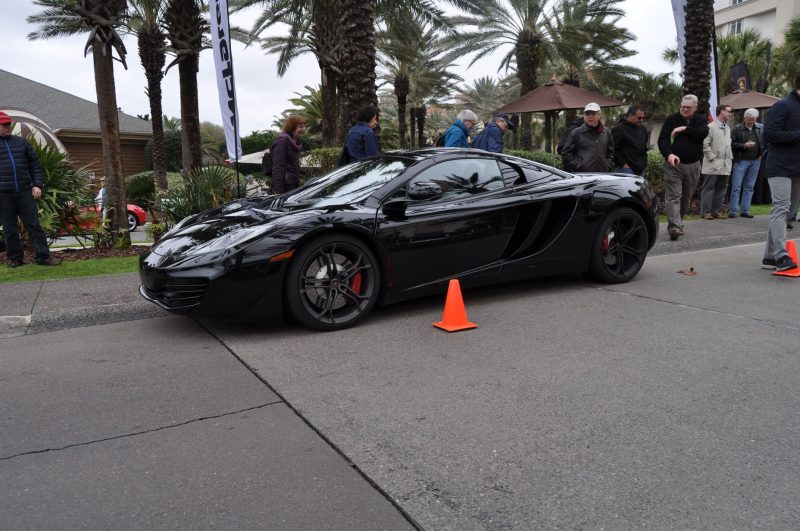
697	53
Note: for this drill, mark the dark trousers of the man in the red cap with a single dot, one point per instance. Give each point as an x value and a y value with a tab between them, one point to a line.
21	205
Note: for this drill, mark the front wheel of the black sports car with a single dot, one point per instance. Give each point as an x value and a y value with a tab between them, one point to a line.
323	301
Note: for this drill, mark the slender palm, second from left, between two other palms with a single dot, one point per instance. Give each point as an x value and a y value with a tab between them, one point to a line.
145	22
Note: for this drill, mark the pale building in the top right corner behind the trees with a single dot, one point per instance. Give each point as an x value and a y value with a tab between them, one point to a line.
768	17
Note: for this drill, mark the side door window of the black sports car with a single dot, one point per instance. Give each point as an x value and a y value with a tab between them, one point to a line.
463	177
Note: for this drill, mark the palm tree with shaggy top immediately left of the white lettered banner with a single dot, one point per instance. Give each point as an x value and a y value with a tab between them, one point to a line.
185	28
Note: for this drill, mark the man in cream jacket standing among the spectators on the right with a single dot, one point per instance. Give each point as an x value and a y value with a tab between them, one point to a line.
717	164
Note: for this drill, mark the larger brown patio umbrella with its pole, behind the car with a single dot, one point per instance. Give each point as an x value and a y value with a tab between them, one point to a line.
556	96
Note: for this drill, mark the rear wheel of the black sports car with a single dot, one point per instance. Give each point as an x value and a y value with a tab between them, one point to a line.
620	247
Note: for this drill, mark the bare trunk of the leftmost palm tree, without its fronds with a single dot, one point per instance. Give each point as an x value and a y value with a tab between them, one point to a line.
109	138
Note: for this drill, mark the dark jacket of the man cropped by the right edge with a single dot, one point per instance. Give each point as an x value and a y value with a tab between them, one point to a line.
782	133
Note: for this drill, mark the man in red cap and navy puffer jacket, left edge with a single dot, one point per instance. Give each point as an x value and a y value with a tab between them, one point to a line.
20	186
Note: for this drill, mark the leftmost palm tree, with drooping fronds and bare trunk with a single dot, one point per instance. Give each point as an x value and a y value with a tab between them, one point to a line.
100	18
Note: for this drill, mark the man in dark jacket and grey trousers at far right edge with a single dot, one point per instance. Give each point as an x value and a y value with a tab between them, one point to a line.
782	169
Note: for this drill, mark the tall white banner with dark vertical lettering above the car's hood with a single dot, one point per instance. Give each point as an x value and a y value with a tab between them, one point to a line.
223	63
